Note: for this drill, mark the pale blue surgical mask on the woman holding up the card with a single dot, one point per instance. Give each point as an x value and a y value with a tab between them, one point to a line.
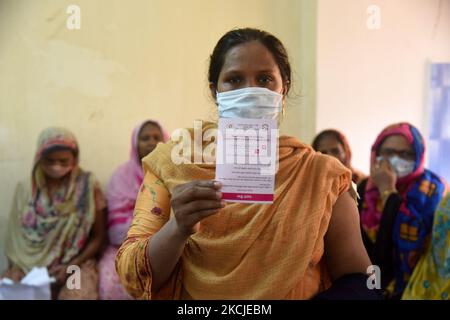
251	102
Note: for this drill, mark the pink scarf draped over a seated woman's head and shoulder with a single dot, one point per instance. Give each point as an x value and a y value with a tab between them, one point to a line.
123	189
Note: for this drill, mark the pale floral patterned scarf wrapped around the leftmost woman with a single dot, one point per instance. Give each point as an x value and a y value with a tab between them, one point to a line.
44	231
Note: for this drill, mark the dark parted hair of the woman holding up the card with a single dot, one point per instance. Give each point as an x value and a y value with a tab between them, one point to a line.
237	37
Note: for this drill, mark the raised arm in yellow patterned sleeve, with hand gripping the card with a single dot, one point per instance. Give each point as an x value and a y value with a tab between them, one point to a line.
155	241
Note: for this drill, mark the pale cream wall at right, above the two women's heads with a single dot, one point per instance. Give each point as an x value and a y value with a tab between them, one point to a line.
368	79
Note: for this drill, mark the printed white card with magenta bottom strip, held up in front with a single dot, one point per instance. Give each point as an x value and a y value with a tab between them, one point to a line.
247	159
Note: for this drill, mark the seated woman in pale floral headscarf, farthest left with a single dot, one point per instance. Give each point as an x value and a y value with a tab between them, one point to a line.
57	218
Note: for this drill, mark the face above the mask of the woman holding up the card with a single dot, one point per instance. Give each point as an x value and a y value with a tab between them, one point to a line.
249	65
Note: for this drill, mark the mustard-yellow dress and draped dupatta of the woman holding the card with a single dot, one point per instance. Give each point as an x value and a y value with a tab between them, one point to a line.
246	251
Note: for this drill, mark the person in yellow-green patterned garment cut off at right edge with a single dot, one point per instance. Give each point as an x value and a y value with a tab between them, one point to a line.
431	277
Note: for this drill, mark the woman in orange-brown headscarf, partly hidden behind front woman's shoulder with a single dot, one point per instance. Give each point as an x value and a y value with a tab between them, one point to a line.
335	144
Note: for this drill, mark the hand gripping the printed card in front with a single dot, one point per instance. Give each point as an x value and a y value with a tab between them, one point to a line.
193	201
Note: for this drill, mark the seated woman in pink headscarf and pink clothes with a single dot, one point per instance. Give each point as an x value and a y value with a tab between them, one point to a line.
121	197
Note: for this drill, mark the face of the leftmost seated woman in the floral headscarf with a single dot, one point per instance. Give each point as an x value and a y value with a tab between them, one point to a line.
57	164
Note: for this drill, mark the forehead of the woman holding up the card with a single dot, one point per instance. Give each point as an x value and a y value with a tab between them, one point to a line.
250	56
